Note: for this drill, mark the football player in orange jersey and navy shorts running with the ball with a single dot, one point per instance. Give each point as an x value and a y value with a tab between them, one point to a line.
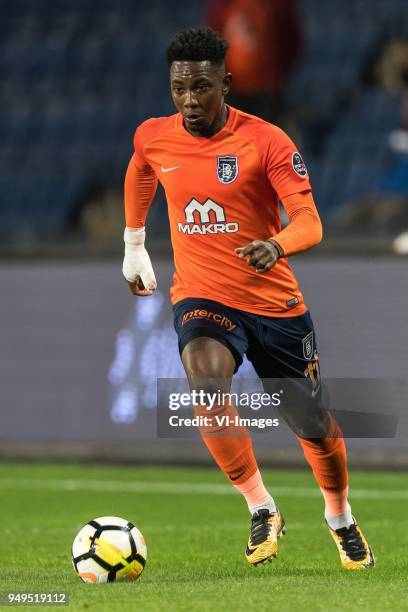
224	173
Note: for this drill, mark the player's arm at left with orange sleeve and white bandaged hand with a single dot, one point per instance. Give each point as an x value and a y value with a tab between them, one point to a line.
140	188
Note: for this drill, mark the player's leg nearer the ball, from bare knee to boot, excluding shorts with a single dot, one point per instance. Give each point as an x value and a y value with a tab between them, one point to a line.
209	366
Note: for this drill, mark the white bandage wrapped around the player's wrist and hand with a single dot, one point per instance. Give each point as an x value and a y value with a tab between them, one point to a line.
136	262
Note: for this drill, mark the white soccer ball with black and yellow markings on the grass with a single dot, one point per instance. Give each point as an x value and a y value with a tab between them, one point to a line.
109	548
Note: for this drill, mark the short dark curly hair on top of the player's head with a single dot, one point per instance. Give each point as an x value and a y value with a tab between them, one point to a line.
197	45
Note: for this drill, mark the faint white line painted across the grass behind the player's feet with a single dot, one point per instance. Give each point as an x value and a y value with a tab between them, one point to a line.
111	486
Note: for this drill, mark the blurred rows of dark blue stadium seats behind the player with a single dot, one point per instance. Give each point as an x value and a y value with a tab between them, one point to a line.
79	75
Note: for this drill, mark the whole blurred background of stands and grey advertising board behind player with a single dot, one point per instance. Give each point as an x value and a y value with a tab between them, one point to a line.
80	357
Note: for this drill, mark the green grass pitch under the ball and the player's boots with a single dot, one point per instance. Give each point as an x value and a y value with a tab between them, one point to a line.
196	529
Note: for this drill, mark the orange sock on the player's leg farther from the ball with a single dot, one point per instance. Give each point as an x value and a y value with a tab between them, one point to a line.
328	460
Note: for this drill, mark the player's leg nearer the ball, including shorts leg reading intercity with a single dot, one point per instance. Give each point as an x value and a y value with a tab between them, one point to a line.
212	342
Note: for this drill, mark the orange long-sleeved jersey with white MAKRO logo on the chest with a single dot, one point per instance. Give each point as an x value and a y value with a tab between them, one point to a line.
222	193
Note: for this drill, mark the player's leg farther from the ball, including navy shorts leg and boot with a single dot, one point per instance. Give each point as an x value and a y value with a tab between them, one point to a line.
289	351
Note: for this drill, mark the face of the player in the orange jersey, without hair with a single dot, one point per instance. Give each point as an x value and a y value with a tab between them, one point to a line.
198	90
